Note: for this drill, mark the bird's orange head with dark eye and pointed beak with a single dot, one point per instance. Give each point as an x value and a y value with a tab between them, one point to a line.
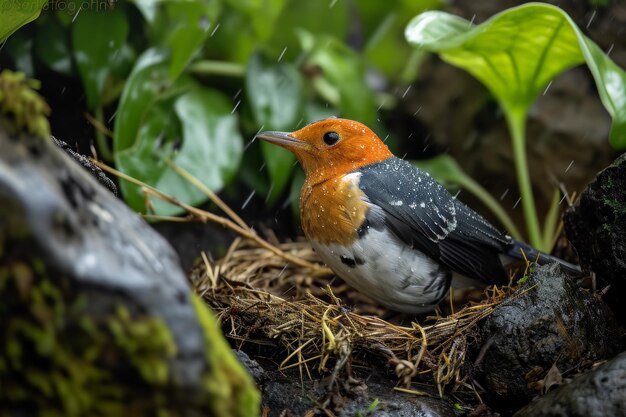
331	147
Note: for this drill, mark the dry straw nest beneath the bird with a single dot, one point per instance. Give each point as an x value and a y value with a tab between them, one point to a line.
261	298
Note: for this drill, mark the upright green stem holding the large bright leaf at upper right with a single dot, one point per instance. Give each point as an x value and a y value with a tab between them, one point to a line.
516	120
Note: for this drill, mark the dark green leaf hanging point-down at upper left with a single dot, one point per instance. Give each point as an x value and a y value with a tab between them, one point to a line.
97	38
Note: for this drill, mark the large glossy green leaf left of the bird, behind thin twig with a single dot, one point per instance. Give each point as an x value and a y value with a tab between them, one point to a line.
161	120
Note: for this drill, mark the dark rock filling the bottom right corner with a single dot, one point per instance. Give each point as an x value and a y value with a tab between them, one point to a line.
598	393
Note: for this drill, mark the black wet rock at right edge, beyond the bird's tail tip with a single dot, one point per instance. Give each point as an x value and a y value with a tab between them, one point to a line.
597	229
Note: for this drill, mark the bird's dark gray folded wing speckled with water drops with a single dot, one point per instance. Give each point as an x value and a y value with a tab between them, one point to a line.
422	213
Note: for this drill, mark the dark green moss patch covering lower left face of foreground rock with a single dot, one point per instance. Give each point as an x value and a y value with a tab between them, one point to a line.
58	360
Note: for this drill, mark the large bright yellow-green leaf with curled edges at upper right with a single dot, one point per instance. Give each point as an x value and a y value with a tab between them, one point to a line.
519	51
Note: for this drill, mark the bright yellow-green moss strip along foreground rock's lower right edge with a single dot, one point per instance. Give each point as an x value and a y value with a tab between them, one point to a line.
232	391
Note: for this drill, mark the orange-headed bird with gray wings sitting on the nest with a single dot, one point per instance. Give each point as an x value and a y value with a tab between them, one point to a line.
387	228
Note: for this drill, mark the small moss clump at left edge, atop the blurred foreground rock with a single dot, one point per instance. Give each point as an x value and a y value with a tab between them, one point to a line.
21	108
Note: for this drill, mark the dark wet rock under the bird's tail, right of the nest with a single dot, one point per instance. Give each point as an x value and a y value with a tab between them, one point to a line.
549	322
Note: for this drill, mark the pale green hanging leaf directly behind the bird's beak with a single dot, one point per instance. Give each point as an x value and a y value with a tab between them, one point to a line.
275	96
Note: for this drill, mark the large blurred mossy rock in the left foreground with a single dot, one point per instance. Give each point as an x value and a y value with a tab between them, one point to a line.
97	316
